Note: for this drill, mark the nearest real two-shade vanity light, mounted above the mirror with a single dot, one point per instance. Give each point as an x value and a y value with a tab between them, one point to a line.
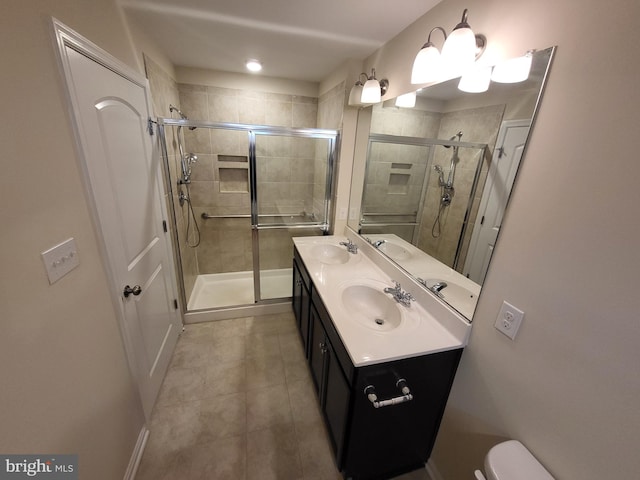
460	50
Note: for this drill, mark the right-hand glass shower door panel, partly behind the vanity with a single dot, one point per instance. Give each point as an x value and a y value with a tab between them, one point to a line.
292	188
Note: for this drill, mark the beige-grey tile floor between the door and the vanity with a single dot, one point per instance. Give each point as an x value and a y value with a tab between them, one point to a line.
238	403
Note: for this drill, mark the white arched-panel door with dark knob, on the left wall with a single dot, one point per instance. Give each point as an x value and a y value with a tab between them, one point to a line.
111	114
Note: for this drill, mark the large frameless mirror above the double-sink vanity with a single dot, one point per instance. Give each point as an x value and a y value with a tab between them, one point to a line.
431	182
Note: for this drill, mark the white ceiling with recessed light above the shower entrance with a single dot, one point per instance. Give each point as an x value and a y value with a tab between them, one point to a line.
294	39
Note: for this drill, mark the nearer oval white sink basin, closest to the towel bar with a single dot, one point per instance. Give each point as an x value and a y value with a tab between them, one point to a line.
371	307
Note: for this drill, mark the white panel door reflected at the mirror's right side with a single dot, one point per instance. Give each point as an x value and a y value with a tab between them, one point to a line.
502	173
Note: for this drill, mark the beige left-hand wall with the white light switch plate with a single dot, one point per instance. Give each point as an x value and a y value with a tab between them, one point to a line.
65	384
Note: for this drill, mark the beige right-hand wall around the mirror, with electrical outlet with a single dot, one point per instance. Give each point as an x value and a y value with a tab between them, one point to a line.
569	386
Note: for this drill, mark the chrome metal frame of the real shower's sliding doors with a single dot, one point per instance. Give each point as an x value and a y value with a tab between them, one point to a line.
333	136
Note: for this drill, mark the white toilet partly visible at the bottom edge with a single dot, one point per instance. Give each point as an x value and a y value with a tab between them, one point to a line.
512	461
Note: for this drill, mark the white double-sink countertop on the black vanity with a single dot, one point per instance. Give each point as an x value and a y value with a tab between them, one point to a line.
420	332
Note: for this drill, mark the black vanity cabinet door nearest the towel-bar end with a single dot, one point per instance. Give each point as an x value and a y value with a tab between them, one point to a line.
336	407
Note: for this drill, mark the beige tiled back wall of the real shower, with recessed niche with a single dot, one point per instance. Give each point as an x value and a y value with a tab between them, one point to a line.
220	177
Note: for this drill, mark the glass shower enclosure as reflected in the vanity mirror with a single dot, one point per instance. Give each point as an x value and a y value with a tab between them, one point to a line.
425	191
